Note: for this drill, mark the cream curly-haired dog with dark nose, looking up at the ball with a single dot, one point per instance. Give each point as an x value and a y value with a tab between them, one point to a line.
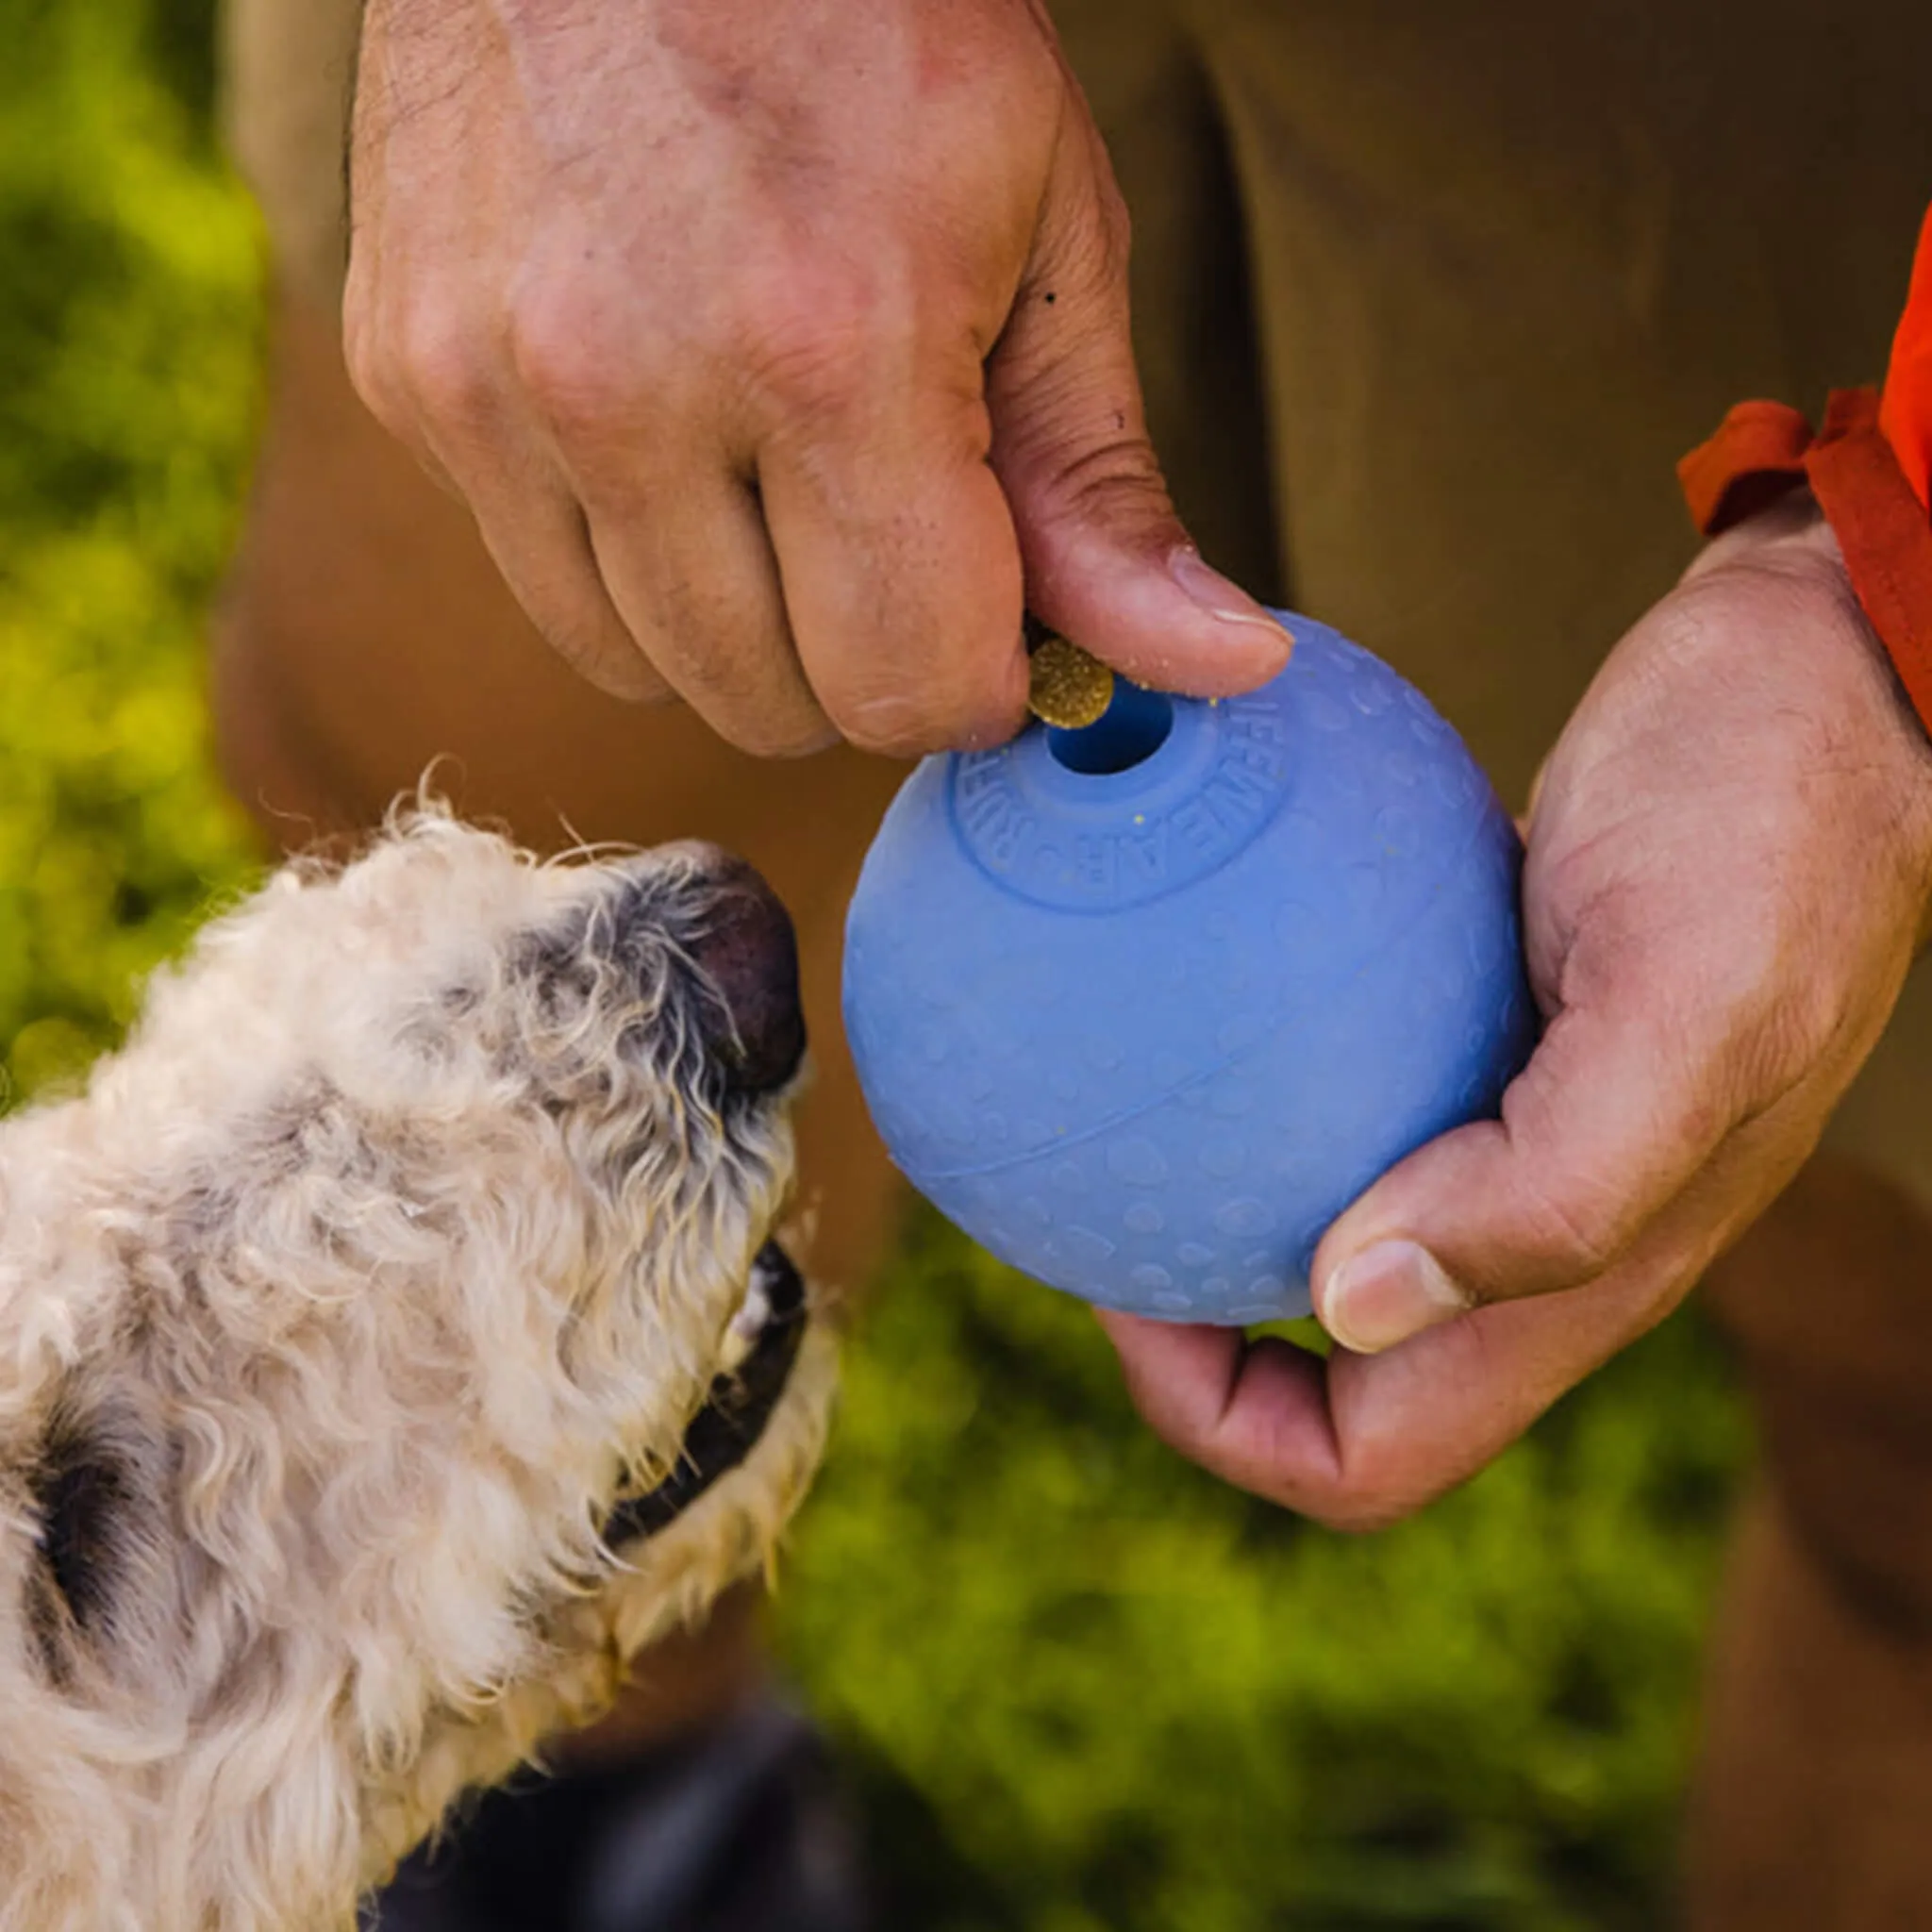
391	1344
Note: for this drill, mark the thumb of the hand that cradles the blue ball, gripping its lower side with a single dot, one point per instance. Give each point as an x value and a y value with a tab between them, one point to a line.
1601	1133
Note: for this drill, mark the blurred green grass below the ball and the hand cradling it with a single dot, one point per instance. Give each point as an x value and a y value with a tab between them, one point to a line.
1096	1690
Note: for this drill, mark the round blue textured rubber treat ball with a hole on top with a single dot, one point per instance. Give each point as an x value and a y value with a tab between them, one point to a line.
1145	1004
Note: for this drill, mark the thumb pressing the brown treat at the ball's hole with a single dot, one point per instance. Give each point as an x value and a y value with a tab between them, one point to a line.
1108	563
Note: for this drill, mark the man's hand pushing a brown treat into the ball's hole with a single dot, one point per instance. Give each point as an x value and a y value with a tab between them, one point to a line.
776	345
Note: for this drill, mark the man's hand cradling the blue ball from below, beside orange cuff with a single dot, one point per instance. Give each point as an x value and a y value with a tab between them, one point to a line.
1728	874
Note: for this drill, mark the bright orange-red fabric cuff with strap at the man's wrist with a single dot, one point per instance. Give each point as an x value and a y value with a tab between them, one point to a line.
1869	469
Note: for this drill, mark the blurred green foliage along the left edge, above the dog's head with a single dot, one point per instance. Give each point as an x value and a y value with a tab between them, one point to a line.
128	395
